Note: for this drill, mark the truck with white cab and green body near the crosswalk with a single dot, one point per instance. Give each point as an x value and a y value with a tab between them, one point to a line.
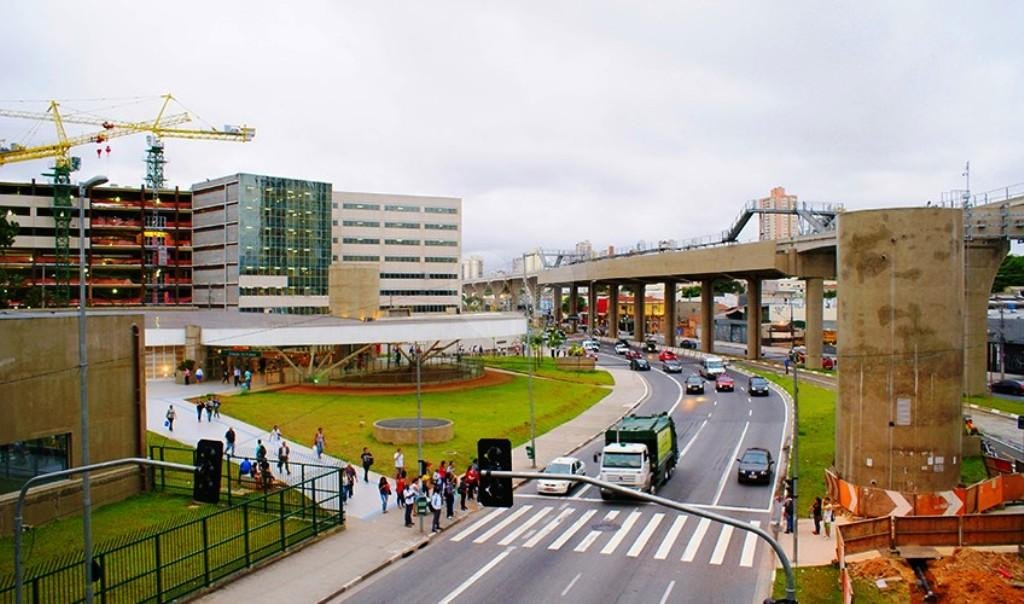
641	453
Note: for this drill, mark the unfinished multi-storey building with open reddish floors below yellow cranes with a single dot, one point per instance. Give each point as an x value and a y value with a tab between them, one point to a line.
138	247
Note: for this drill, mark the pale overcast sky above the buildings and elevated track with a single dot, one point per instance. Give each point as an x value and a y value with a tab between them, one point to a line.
554	122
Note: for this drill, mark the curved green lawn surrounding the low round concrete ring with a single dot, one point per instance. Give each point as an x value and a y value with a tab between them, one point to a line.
499	412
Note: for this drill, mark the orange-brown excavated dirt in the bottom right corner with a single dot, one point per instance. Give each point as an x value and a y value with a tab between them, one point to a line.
969	577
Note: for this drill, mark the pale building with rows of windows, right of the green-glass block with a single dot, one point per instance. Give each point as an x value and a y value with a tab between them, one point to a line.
415	240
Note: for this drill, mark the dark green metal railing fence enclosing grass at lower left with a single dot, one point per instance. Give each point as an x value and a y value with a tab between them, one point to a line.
170	562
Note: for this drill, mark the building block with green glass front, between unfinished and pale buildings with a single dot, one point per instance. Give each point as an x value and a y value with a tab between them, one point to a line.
263	244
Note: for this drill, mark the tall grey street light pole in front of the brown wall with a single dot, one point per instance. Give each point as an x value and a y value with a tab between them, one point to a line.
83	366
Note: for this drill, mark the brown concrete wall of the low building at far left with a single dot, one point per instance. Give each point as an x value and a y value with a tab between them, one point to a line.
39	397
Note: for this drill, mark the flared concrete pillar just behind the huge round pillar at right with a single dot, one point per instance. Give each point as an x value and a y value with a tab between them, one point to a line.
983	261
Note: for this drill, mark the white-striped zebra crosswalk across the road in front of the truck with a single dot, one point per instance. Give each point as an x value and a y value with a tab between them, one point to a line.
639	533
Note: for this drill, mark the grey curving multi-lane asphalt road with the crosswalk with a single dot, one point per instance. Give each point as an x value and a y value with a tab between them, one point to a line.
578	548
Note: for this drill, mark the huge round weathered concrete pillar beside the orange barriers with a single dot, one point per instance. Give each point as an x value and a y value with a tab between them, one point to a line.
902	352
